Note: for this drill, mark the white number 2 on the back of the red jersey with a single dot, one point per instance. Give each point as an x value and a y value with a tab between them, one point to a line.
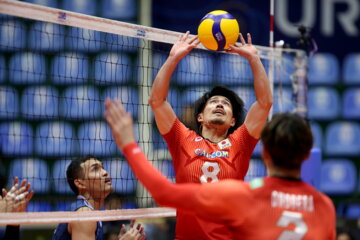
295	218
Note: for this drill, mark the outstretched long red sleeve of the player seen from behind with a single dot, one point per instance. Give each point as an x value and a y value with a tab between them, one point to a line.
211	201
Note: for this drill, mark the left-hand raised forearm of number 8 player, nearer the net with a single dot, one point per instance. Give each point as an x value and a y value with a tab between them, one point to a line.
161	84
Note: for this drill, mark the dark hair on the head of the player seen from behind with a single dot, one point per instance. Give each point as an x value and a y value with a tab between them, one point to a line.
288	140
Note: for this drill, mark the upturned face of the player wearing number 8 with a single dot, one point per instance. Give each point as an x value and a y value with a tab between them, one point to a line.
218	110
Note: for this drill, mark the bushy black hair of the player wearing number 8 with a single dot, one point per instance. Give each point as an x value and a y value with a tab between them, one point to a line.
237	104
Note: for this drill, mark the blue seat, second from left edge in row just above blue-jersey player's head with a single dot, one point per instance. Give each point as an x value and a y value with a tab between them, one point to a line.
55	139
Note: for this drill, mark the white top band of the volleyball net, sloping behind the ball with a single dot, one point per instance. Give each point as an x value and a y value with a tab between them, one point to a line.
59	16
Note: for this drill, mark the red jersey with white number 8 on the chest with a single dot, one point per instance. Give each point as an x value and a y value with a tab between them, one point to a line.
199	160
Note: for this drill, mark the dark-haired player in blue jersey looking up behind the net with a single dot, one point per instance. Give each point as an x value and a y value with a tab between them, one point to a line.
92	184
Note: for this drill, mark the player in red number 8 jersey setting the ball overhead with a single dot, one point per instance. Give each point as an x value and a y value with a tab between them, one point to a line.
223	142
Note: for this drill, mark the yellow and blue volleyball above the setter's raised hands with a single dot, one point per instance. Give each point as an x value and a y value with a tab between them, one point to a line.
217	30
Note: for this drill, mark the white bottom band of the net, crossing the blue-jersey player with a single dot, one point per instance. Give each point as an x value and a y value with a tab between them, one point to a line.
104	215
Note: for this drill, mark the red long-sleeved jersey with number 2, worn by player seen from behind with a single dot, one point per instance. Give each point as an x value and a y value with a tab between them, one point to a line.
265	208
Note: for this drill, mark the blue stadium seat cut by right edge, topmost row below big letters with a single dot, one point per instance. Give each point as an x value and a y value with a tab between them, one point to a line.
351	71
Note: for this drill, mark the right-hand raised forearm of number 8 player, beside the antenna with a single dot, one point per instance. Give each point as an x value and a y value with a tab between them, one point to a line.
261	83
